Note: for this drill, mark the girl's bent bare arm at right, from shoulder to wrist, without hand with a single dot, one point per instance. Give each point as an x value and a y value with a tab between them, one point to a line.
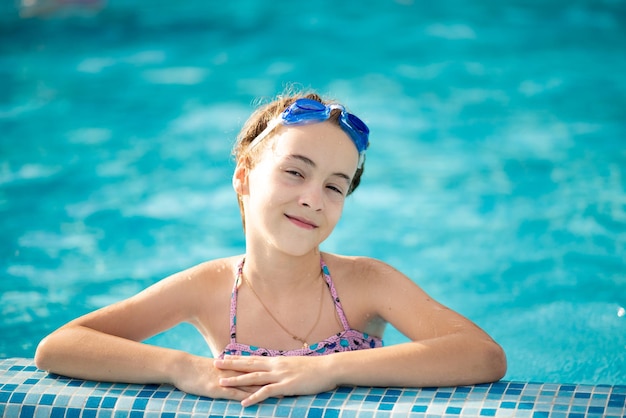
446	349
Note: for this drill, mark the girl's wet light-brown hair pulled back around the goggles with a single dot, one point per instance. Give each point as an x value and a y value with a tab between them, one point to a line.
257	122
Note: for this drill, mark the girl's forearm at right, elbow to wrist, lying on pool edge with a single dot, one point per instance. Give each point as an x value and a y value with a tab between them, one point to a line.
444	361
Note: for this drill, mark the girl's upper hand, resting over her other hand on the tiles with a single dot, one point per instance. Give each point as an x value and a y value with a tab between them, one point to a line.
275	376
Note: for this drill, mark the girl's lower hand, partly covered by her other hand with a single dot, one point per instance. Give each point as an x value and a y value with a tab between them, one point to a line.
199	376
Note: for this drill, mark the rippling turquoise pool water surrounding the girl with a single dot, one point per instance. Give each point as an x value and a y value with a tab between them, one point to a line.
496	178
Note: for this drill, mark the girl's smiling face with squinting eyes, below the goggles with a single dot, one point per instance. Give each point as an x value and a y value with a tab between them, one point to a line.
294	195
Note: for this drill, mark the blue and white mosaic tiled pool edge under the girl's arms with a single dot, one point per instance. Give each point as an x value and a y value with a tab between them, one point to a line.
27	392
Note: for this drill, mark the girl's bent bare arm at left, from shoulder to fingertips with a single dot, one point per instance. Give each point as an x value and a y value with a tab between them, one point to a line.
105	345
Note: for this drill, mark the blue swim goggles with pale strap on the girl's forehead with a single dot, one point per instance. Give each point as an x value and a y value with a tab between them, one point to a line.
304	111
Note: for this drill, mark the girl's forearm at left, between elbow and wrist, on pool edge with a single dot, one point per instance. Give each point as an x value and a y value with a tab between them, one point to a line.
84	353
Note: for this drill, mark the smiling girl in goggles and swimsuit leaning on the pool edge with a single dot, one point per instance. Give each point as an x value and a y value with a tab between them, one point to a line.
283	319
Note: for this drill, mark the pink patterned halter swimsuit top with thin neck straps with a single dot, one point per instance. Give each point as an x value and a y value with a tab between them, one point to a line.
347	340
